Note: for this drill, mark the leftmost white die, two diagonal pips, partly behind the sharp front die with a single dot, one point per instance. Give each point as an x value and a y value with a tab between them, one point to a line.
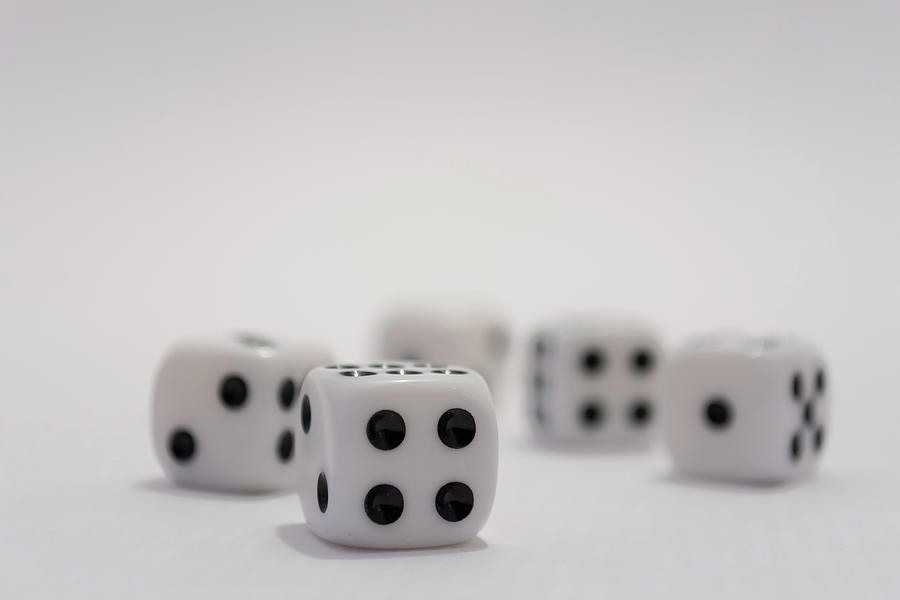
225	411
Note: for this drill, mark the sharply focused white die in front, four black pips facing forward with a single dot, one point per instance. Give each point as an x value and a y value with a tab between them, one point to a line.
394	456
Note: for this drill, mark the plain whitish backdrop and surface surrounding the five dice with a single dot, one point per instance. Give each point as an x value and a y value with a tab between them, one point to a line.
169	167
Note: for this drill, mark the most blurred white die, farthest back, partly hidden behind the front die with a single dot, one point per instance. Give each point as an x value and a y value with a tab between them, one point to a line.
473	337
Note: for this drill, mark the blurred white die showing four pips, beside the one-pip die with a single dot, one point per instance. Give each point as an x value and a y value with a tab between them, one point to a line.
594	380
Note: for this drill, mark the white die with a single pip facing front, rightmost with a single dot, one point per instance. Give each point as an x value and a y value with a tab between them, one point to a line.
747	409
